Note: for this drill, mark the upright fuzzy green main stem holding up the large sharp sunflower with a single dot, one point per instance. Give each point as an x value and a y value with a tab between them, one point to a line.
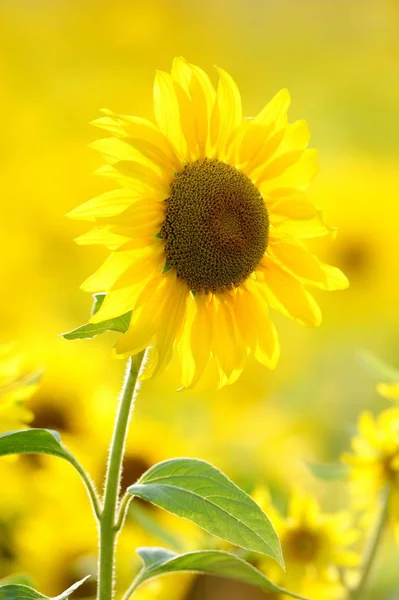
108	532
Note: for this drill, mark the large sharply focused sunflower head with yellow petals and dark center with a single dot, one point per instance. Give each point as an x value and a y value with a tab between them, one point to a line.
207	230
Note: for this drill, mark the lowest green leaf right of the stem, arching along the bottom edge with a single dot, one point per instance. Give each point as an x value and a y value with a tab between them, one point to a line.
159	561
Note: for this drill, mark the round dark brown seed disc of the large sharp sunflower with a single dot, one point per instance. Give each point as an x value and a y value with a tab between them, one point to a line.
216	226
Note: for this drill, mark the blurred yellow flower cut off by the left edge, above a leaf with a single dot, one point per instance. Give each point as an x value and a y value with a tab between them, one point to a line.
15	387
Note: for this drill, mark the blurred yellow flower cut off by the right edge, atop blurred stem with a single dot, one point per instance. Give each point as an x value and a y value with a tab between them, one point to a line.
374	462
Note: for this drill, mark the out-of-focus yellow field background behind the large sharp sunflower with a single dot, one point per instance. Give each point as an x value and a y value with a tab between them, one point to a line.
60	62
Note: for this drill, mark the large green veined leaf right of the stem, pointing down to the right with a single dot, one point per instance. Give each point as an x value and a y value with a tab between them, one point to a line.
197	491
